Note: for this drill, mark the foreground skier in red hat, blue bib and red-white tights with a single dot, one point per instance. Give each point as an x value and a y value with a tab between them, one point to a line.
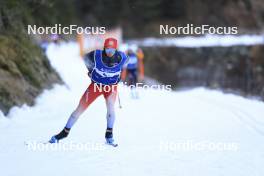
104	69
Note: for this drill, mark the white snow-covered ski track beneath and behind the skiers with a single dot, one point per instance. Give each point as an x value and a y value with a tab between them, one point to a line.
147	130
